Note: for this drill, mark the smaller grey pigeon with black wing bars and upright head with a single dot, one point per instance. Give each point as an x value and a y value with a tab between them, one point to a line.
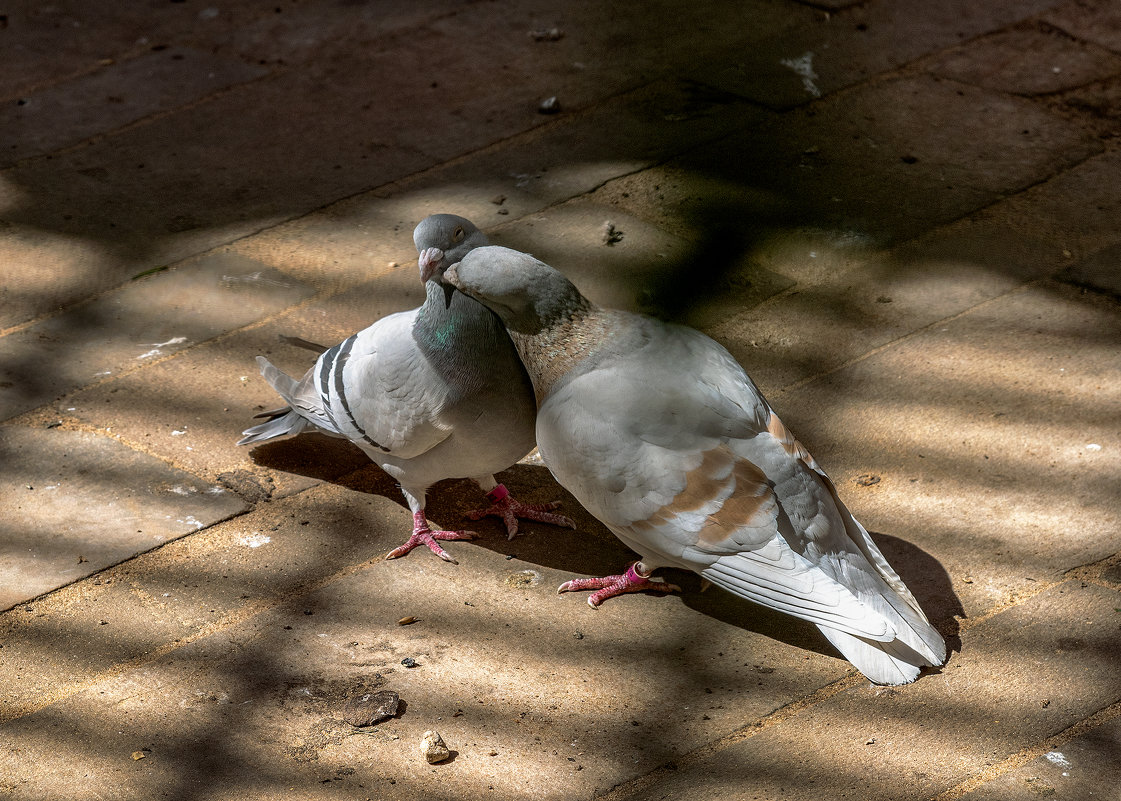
438	393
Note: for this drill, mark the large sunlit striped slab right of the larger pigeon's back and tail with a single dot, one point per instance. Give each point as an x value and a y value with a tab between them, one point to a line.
1000	468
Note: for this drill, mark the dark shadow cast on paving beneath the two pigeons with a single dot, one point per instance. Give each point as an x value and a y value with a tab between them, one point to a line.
591	549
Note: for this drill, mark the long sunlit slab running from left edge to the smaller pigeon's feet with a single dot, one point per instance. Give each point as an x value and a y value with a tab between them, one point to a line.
153	604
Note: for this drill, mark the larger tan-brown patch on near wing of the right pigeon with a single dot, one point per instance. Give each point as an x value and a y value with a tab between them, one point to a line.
725	476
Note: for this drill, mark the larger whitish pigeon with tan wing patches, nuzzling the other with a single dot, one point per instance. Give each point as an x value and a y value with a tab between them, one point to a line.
661	434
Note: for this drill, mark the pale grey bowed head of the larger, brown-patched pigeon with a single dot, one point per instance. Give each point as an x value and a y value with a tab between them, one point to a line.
527	294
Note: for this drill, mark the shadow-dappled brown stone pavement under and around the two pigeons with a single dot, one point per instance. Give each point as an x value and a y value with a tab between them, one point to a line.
901	216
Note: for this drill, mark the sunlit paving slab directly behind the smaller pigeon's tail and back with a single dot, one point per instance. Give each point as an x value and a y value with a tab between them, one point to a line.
191	411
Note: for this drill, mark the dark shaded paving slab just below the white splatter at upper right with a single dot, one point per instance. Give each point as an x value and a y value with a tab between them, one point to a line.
877	162
